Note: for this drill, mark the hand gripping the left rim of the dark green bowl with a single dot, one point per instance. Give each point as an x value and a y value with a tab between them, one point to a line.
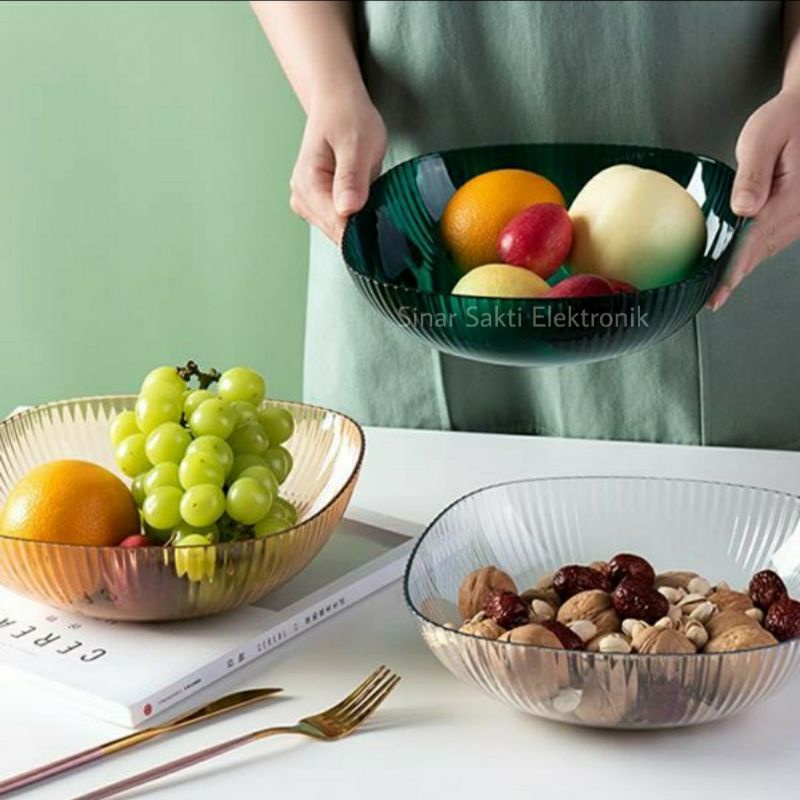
341	154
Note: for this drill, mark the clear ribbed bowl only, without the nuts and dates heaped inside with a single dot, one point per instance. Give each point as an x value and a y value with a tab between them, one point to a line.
529	528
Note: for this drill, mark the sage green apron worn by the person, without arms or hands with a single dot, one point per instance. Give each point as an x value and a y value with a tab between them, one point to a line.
677	74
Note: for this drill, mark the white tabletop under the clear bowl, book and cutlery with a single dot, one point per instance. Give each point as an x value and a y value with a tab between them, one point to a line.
436	737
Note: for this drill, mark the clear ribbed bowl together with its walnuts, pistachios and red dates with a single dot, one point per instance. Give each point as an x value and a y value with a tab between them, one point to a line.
549	596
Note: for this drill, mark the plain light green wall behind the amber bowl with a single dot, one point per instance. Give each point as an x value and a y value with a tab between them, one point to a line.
145	153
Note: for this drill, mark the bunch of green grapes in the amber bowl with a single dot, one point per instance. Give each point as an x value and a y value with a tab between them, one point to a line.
206	461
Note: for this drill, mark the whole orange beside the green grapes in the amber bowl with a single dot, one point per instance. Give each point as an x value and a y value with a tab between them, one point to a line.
70	502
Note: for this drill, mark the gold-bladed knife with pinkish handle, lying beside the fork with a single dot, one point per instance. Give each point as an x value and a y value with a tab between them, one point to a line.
230	702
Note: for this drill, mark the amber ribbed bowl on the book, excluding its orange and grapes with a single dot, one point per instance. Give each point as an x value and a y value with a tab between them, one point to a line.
144	584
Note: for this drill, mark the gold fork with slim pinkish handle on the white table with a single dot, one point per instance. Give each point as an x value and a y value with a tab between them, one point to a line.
333	723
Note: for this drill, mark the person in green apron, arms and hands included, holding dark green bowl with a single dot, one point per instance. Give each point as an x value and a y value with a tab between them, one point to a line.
384	81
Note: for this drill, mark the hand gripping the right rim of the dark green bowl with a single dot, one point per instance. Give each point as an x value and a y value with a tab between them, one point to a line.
766	188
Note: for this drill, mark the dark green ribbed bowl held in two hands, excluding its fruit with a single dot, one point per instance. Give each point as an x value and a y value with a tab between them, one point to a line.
396	258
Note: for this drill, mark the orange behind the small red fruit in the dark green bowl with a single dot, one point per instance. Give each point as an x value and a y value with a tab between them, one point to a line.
479	210
